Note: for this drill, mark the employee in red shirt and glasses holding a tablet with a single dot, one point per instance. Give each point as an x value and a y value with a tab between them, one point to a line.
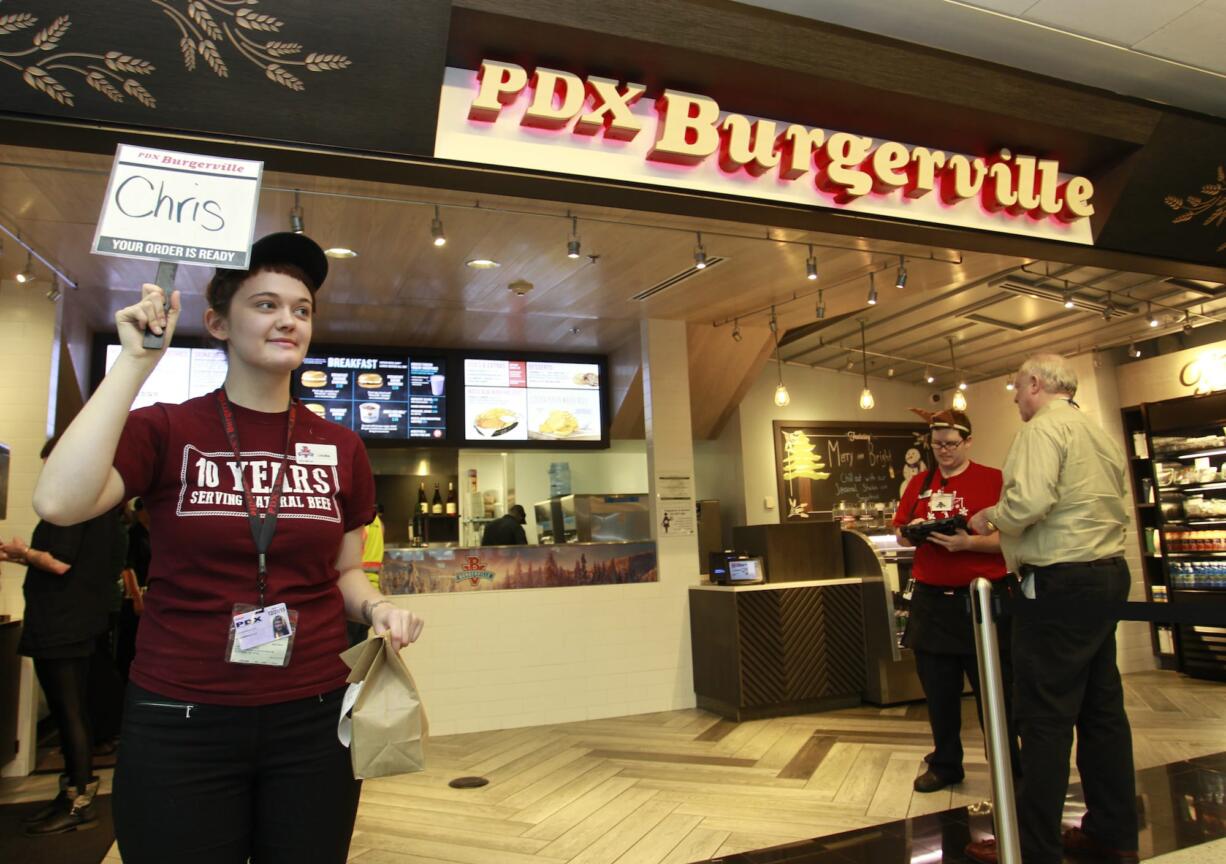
940	626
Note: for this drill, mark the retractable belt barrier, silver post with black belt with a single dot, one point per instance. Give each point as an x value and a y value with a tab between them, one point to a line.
988	605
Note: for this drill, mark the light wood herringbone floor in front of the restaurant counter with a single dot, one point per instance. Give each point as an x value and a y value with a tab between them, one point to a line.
683	786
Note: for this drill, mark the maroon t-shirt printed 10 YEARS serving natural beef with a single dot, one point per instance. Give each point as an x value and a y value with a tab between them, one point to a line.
178	459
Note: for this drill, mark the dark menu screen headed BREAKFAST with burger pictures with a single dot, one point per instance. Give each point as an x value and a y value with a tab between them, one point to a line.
392	399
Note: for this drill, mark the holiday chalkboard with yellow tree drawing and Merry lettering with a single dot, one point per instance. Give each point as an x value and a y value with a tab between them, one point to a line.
823	465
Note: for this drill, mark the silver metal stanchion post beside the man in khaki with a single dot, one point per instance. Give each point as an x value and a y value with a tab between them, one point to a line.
996	729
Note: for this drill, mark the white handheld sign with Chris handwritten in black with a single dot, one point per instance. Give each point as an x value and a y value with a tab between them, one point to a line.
180	208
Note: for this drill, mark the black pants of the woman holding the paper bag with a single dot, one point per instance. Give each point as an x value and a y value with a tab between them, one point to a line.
219	785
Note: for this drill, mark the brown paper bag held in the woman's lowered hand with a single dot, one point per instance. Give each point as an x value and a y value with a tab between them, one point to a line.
387	724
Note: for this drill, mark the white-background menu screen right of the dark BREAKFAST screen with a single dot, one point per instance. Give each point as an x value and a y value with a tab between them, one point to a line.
533	401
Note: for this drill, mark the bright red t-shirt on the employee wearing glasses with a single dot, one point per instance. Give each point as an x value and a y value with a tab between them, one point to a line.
970	492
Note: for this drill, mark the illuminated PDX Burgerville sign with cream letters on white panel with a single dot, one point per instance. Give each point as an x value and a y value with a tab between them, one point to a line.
552	121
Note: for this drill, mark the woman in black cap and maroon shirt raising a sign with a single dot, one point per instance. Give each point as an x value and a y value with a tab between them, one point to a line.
230	749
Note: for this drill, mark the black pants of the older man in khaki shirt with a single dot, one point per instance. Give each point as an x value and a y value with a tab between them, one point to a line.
1066	677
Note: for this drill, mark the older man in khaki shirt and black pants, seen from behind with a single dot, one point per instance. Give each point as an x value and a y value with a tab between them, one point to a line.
1062	521
